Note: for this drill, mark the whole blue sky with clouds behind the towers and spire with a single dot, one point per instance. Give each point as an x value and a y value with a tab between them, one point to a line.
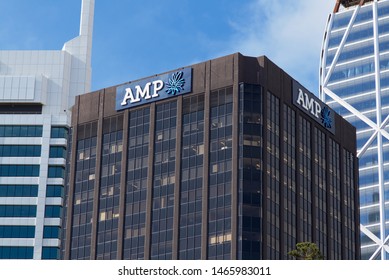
133	39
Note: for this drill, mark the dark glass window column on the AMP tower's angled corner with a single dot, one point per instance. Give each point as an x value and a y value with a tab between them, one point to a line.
250	172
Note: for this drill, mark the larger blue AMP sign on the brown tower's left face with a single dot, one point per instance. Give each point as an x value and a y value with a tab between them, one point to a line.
154	89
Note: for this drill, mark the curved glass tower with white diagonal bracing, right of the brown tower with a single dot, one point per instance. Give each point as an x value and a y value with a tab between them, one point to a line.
354	80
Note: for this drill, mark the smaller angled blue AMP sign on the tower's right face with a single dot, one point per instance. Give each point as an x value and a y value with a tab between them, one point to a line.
314	107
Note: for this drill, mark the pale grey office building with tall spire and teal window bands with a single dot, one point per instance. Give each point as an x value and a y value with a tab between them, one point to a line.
37	89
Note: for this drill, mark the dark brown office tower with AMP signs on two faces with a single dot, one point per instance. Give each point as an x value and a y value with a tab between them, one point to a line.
226	159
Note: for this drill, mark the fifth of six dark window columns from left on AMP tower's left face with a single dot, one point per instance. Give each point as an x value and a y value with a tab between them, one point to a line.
192	164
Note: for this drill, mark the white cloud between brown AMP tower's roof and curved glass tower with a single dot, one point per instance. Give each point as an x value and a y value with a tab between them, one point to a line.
290	33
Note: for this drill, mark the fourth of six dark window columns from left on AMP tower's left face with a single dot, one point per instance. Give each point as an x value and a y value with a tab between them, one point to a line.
164	178
